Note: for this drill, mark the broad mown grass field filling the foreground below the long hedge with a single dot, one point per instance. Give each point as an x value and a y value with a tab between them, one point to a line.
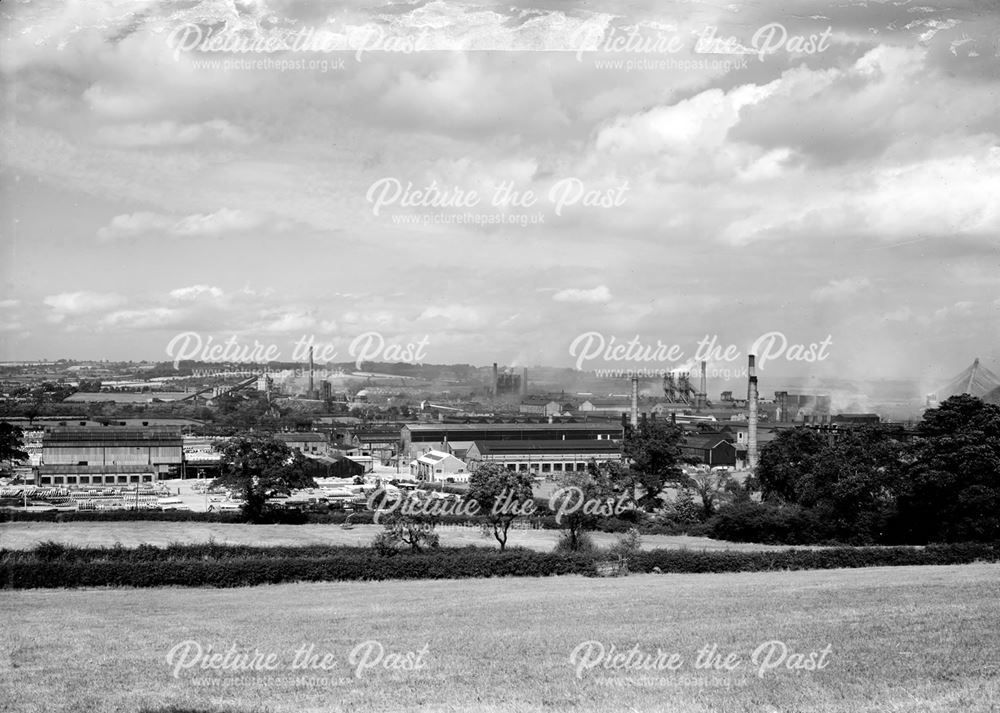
900	639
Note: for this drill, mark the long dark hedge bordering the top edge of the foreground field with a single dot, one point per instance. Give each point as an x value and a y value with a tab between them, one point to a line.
252	566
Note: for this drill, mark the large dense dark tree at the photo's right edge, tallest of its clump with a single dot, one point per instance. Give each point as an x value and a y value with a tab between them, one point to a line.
951	491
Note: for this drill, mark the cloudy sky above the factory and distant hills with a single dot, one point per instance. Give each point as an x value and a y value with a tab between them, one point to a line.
648	171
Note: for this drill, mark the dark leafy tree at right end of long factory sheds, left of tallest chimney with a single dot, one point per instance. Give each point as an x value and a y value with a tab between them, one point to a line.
653	450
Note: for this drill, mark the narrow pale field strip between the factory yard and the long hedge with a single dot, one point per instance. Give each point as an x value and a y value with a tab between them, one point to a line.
23	535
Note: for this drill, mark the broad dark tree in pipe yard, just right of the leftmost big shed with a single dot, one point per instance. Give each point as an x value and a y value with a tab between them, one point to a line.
258	467
